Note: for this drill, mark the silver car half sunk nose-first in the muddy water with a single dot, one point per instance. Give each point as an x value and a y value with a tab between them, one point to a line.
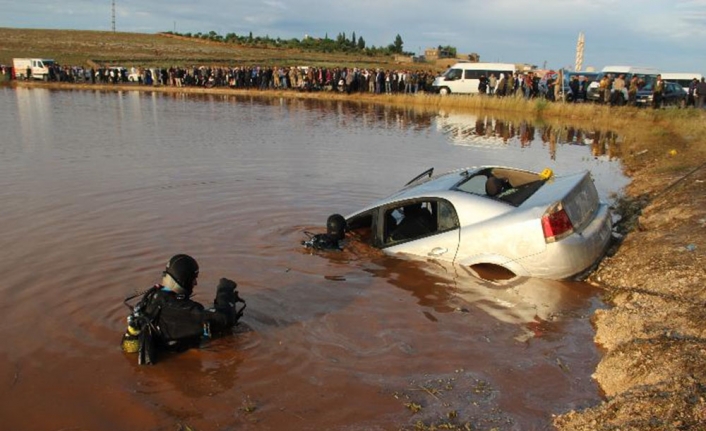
532	224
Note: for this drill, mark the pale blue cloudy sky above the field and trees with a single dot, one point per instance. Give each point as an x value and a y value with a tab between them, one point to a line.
669	35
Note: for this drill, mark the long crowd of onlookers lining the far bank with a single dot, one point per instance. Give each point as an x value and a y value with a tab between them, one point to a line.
613	89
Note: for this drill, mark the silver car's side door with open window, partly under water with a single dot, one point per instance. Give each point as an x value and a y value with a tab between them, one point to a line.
426	227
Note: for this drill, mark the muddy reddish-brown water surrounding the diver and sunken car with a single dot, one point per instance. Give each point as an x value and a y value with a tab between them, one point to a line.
99	189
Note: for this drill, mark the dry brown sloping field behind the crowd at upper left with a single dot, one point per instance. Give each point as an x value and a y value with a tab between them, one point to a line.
82	48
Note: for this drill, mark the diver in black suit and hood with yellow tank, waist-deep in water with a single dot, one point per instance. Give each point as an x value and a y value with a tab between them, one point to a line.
166	319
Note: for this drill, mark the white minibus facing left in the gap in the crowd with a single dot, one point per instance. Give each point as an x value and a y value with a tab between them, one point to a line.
463	78
